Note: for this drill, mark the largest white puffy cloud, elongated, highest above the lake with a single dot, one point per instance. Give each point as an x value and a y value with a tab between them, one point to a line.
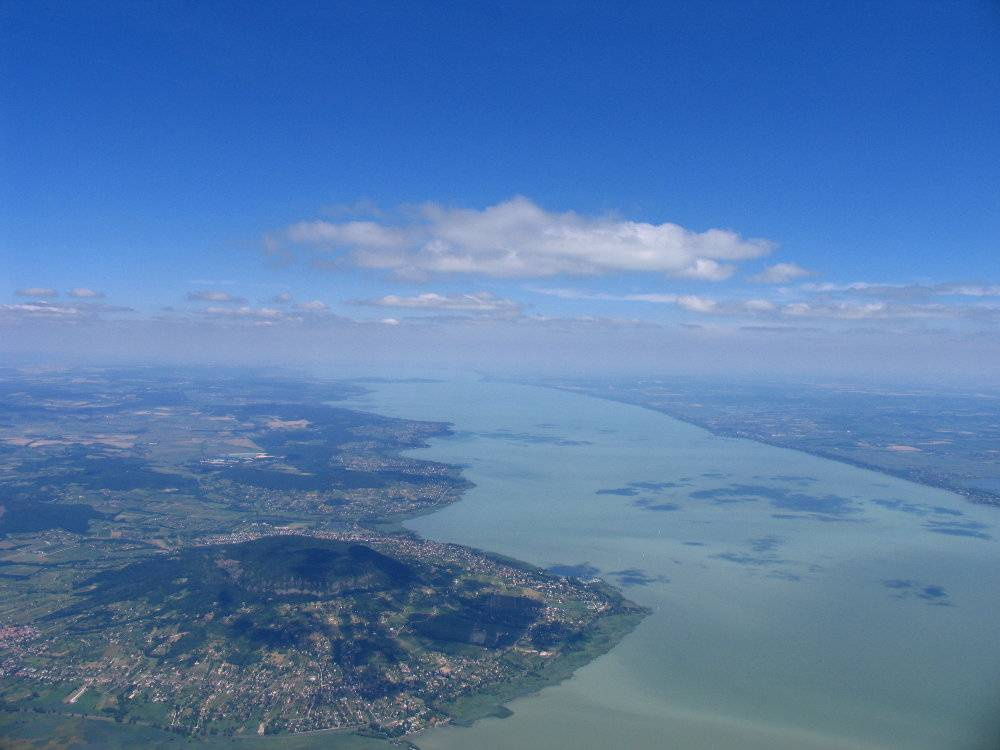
517	238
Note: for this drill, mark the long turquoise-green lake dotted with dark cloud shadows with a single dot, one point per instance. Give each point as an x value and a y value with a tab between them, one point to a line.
797	602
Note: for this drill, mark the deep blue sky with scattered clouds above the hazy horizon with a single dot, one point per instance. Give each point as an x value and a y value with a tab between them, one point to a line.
769	186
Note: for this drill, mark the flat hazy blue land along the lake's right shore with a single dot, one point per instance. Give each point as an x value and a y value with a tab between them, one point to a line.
948	439
